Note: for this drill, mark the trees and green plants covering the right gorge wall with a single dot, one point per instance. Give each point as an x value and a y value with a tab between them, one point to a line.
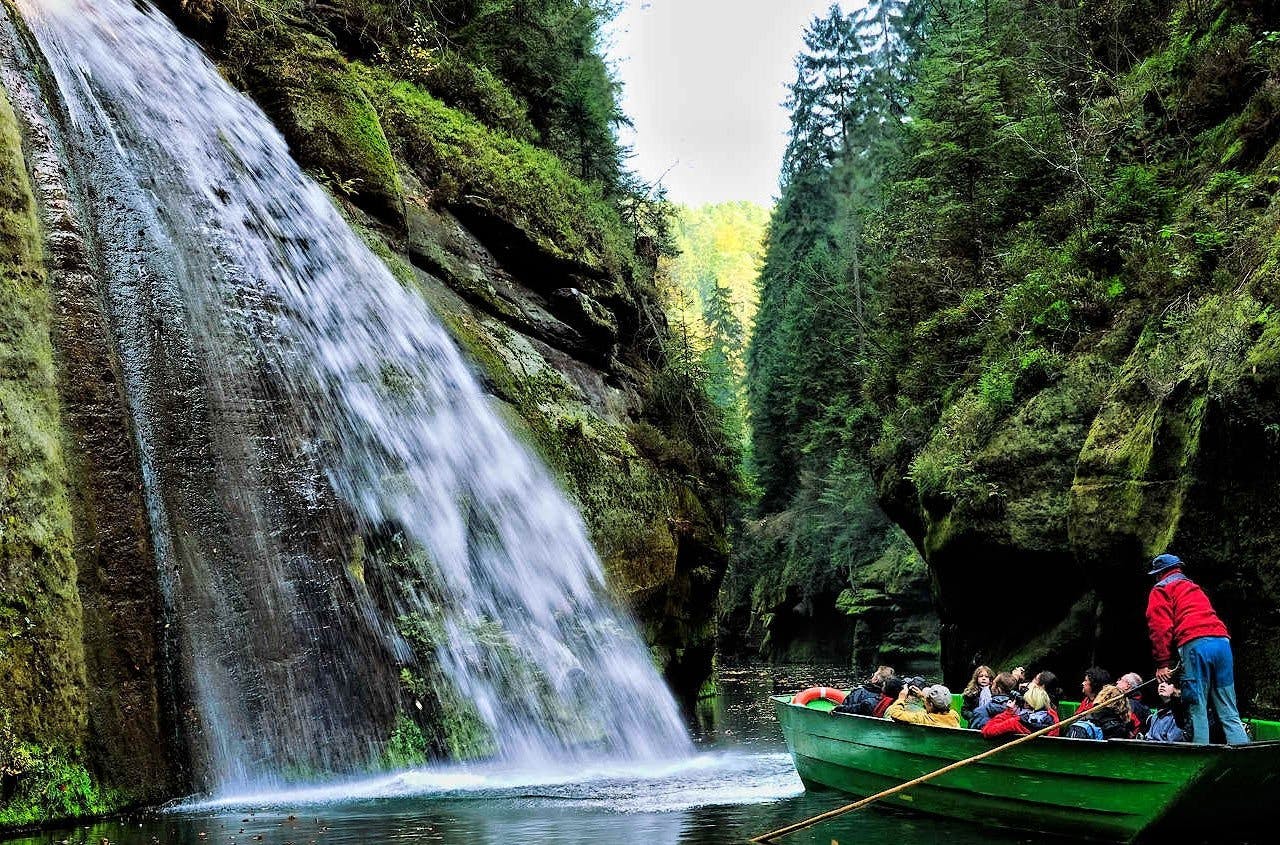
1077	191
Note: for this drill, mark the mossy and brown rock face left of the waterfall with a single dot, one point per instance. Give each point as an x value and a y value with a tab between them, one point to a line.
88	698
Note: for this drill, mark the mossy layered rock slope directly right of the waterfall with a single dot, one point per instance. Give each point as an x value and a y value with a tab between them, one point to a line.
548	309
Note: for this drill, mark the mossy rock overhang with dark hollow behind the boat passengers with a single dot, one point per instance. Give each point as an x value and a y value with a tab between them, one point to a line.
1144	446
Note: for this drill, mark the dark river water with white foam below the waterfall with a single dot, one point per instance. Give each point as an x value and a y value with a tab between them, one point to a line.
740	784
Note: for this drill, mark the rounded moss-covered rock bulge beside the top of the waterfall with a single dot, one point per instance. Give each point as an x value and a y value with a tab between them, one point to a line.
317	102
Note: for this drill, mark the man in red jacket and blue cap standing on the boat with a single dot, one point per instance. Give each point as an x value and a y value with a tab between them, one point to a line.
1180	616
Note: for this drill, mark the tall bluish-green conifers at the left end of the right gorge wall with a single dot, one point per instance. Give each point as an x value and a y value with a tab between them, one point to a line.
820	532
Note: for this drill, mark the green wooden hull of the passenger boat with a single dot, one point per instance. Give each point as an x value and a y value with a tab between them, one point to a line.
1116	791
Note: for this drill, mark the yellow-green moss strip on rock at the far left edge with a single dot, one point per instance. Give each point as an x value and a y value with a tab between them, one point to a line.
42	654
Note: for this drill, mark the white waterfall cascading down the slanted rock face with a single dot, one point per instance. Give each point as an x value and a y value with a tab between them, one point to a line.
290	396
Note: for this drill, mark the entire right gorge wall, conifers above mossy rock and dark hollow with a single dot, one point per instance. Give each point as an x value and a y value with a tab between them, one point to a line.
1027	280
